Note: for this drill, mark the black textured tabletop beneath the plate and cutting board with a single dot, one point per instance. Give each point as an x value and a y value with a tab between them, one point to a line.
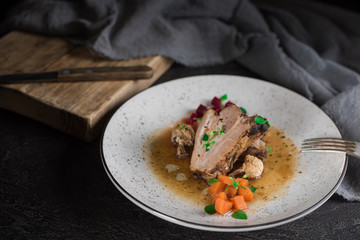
53	186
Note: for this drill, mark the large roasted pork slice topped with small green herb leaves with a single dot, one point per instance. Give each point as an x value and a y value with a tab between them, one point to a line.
224	148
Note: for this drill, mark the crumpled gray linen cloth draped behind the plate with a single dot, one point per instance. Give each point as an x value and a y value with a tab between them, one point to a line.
311	48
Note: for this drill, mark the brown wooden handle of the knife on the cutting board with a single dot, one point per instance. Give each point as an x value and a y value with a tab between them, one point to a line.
105	73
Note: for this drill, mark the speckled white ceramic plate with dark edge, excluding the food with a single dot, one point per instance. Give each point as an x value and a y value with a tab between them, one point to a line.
163	104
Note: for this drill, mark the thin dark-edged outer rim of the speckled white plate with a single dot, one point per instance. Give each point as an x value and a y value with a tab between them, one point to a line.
208	227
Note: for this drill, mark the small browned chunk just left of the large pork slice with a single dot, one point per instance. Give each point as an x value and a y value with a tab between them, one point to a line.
182	136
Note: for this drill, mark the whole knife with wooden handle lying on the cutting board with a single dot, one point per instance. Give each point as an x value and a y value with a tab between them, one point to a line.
140	72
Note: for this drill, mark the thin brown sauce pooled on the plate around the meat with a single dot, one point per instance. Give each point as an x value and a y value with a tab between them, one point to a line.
279	167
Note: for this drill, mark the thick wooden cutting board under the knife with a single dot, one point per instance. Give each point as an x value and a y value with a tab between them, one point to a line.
80	109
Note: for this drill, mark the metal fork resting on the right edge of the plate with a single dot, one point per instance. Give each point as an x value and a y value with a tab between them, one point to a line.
331	145
